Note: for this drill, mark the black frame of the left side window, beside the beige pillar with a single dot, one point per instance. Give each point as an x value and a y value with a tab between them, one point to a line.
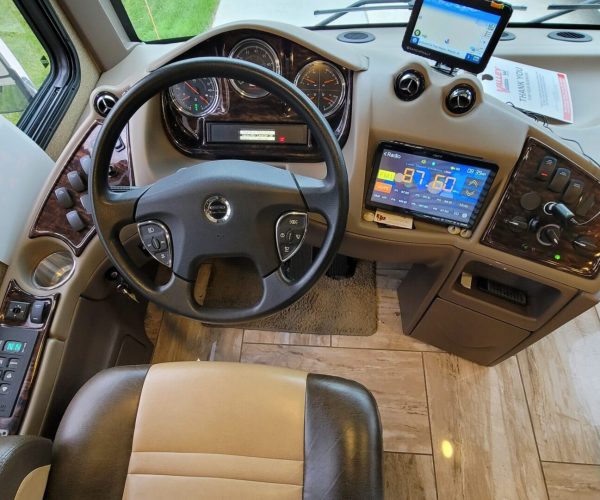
43	115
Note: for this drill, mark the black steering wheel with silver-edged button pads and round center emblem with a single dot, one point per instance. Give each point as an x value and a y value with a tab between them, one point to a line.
222	208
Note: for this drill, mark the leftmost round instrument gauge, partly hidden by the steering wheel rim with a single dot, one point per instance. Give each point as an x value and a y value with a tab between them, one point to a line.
197	97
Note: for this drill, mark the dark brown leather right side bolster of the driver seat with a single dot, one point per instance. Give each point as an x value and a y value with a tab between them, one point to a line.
343	448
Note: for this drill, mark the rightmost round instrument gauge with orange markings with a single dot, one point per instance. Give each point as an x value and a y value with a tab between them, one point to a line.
324	85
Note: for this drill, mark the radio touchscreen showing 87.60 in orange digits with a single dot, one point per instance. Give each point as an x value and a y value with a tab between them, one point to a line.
441	187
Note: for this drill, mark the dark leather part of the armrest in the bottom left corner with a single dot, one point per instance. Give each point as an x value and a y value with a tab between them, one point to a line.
19	455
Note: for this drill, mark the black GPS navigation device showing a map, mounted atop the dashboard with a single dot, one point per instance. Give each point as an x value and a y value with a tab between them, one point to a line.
457	33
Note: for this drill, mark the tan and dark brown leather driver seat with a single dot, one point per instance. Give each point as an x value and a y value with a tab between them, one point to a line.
217	430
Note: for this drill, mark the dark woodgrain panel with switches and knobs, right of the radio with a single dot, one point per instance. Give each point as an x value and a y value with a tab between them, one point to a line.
547	213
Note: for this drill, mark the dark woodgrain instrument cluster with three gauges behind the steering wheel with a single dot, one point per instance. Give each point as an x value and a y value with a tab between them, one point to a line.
217	118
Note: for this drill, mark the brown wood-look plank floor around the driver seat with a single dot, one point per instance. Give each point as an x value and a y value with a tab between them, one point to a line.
528	428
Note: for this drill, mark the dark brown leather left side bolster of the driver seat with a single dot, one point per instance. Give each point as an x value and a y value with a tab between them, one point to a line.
93	444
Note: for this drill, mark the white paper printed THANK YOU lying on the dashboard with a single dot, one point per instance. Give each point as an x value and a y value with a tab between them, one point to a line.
529	88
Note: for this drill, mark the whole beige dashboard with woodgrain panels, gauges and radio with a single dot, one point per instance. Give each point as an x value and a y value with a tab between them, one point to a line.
484	192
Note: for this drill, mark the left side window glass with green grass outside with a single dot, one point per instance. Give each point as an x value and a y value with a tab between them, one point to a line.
24	63
